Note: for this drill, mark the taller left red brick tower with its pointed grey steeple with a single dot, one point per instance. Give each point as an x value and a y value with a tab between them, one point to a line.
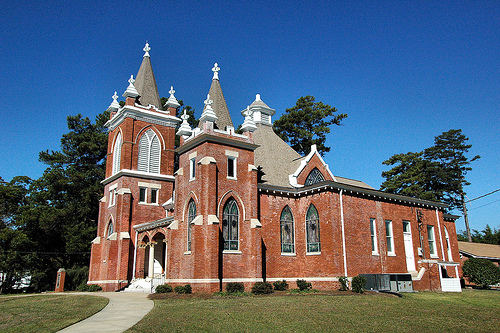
139	178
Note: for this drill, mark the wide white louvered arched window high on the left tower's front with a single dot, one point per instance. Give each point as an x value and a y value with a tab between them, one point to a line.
149	152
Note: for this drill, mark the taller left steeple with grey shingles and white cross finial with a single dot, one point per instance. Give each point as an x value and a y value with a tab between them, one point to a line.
145	82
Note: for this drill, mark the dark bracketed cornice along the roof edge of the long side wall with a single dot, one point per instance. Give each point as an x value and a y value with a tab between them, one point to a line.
348	189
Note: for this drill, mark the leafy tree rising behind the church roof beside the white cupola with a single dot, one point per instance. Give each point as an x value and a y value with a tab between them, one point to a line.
306	124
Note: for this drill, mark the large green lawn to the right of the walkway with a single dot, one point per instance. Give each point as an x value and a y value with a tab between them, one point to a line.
471	311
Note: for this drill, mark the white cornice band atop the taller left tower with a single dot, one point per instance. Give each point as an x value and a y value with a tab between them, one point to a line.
133	112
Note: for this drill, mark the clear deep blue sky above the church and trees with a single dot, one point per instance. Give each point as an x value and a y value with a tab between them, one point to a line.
403	71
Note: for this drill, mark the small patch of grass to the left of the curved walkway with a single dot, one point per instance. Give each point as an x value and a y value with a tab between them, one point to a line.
46	313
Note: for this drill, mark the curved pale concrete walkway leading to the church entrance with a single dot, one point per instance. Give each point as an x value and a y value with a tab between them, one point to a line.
123	311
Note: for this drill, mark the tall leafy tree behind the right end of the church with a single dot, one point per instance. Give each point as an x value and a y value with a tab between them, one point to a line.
437	173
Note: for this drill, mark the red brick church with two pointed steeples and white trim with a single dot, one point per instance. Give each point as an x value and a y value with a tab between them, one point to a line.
247	207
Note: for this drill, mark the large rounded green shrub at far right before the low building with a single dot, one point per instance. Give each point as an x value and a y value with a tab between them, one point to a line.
481	272
